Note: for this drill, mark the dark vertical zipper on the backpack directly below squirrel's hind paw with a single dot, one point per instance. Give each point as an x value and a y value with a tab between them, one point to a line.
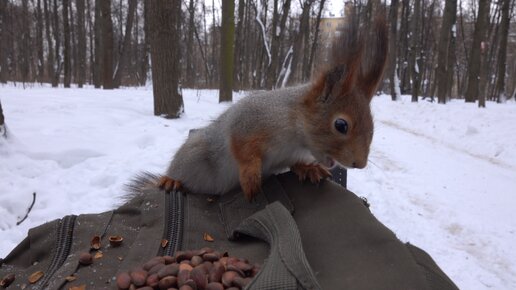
173	226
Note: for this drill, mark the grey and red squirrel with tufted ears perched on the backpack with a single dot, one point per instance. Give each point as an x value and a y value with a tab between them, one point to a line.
308	128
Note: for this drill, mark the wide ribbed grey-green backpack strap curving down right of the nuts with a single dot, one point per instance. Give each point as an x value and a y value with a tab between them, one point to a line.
287	266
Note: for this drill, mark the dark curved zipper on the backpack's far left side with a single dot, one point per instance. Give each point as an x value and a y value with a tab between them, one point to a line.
64	236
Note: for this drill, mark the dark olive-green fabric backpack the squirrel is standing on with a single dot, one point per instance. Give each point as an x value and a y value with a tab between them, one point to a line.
304	236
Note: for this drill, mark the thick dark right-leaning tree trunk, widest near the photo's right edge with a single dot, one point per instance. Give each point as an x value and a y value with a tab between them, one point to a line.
475	60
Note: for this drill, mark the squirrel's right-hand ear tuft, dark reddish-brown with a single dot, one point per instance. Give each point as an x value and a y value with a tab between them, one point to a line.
372	71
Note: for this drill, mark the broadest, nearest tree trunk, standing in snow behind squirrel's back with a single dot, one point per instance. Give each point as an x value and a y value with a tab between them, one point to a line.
164	45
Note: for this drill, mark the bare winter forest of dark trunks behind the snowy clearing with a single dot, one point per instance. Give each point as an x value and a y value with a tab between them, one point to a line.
438	49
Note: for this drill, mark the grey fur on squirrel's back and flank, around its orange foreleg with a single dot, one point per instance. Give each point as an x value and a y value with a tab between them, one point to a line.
205	164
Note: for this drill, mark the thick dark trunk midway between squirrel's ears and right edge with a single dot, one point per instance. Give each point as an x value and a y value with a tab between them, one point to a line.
450	9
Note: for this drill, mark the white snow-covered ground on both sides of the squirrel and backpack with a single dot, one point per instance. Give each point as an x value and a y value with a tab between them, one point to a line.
442	177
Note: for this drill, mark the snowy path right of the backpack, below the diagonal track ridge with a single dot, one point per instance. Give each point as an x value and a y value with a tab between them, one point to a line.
455	204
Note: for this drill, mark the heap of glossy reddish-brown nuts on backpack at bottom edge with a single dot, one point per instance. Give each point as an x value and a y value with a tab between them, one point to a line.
204	269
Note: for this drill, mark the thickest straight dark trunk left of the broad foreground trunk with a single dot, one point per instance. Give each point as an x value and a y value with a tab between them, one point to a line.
107	43
